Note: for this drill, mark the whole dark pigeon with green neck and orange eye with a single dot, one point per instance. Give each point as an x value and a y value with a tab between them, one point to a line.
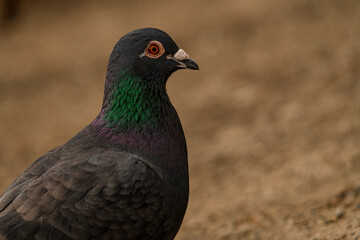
125	175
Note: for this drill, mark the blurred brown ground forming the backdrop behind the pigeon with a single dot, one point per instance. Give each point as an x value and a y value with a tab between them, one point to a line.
272	118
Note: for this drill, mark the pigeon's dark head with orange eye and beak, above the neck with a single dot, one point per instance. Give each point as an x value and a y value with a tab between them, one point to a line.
150	54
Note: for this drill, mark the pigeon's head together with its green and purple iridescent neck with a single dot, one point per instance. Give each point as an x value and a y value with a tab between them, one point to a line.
135	100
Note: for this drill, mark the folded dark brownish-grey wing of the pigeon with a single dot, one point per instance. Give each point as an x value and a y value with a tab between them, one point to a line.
97	195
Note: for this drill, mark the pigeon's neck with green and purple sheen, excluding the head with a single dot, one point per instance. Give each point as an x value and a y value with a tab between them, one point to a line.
137	114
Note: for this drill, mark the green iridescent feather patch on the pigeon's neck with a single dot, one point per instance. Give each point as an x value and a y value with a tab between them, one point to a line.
135	102
